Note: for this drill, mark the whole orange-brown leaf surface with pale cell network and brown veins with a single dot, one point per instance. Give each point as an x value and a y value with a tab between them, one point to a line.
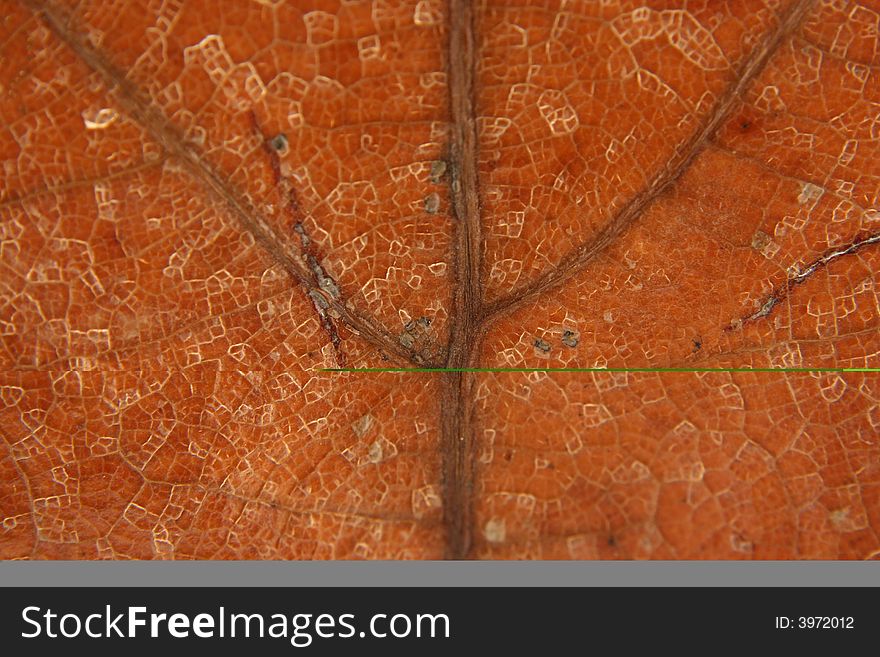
207	203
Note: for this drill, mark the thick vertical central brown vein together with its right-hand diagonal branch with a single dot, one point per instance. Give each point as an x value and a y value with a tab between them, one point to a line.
471	315
